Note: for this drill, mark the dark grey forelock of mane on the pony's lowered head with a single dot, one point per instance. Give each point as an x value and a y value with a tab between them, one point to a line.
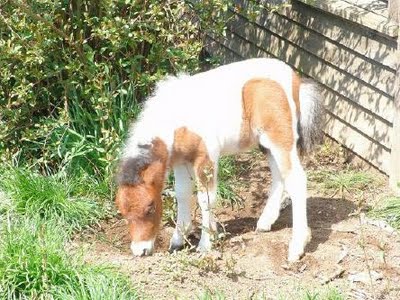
130	167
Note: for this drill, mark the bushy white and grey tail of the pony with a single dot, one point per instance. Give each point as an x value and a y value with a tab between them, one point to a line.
311	116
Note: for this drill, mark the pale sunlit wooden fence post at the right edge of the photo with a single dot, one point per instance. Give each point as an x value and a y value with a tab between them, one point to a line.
394	175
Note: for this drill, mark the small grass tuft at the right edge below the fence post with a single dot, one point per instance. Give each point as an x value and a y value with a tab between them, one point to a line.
388	211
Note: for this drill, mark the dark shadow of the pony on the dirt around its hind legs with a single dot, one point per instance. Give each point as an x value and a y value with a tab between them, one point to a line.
322	213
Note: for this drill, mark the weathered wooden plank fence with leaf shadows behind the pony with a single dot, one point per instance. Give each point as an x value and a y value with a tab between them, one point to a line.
350	48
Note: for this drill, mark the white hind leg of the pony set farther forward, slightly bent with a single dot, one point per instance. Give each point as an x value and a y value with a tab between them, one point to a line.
272	208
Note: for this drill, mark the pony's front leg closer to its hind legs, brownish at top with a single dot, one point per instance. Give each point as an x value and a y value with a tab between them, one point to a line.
206	196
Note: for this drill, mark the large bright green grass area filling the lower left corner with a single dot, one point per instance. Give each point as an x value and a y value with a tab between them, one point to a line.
38	214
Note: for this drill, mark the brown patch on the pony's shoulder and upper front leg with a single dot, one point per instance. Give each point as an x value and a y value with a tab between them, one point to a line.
189	147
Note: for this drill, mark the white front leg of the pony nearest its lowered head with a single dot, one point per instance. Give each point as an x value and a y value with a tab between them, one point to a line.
183	189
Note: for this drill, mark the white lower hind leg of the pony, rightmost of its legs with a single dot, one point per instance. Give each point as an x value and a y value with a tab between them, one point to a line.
296	186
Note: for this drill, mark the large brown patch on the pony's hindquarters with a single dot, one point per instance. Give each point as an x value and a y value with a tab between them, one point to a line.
266	107
